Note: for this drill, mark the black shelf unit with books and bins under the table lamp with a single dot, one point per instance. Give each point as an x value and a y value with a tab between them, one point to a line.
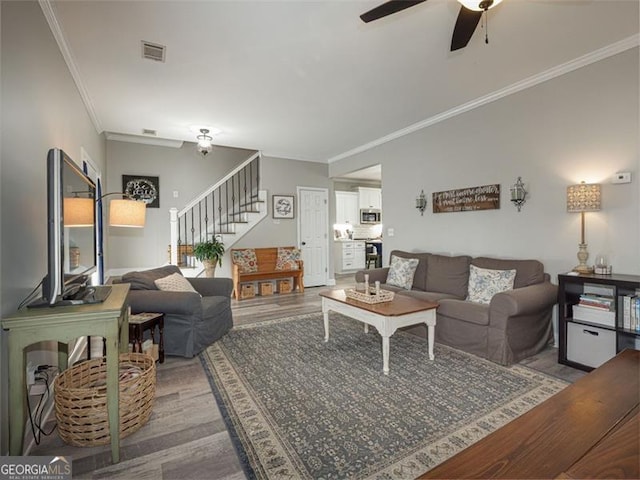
612	338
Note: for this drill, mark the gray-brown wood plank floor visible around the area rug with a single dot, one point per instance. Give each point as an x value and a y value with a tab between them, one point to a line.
186	437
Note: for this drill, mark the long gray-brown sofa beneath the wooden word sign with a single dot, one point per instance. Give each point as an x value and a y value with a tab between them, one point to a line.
514	325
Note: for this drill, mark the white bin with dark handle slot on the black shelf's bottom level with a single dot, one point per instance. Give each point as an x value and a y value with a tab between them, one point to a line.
591	346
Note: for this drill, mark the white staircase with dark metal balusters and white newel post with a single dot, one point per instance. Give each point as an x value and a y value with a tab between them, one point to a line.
228	210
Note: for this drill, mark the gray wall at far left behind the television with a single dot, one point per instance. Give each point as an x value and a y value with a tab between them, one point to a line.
41	109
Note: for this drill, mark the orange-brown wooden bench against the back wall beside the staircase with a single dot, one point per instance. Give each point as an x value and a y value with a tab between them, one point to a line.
266	260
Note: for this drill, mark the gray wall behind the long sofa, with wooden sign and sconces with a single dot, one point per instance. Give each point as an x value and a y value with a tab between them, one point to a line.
580	126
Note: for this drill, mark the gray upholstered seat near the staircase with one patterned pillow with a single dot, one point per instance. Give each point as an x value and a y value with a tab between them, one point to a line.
192	321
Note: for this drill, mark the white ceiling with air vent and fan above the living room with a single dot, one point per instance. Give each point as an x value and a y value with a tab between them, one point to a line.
308	79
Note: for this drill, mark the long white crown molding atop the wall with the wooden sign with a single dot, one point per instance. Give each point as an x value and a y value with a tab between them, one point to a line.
588	59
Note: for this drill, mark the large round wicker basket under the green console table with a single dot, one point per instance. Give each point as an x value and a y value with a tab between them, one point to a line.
80	394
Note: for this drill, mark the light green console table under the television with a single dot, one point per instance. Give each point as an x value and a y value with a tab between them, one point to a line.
64	324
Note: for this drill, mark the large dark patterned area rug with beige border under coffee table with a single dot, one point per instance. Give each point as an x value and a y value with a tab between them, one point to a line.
300	408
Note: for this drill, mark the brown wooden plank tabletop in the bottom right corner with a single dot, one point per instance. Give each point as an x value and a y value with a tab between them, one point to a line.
588	430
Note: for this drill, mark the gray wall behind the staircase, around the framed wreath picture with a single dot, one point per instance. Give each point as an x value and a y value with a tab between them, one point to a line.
180	169
